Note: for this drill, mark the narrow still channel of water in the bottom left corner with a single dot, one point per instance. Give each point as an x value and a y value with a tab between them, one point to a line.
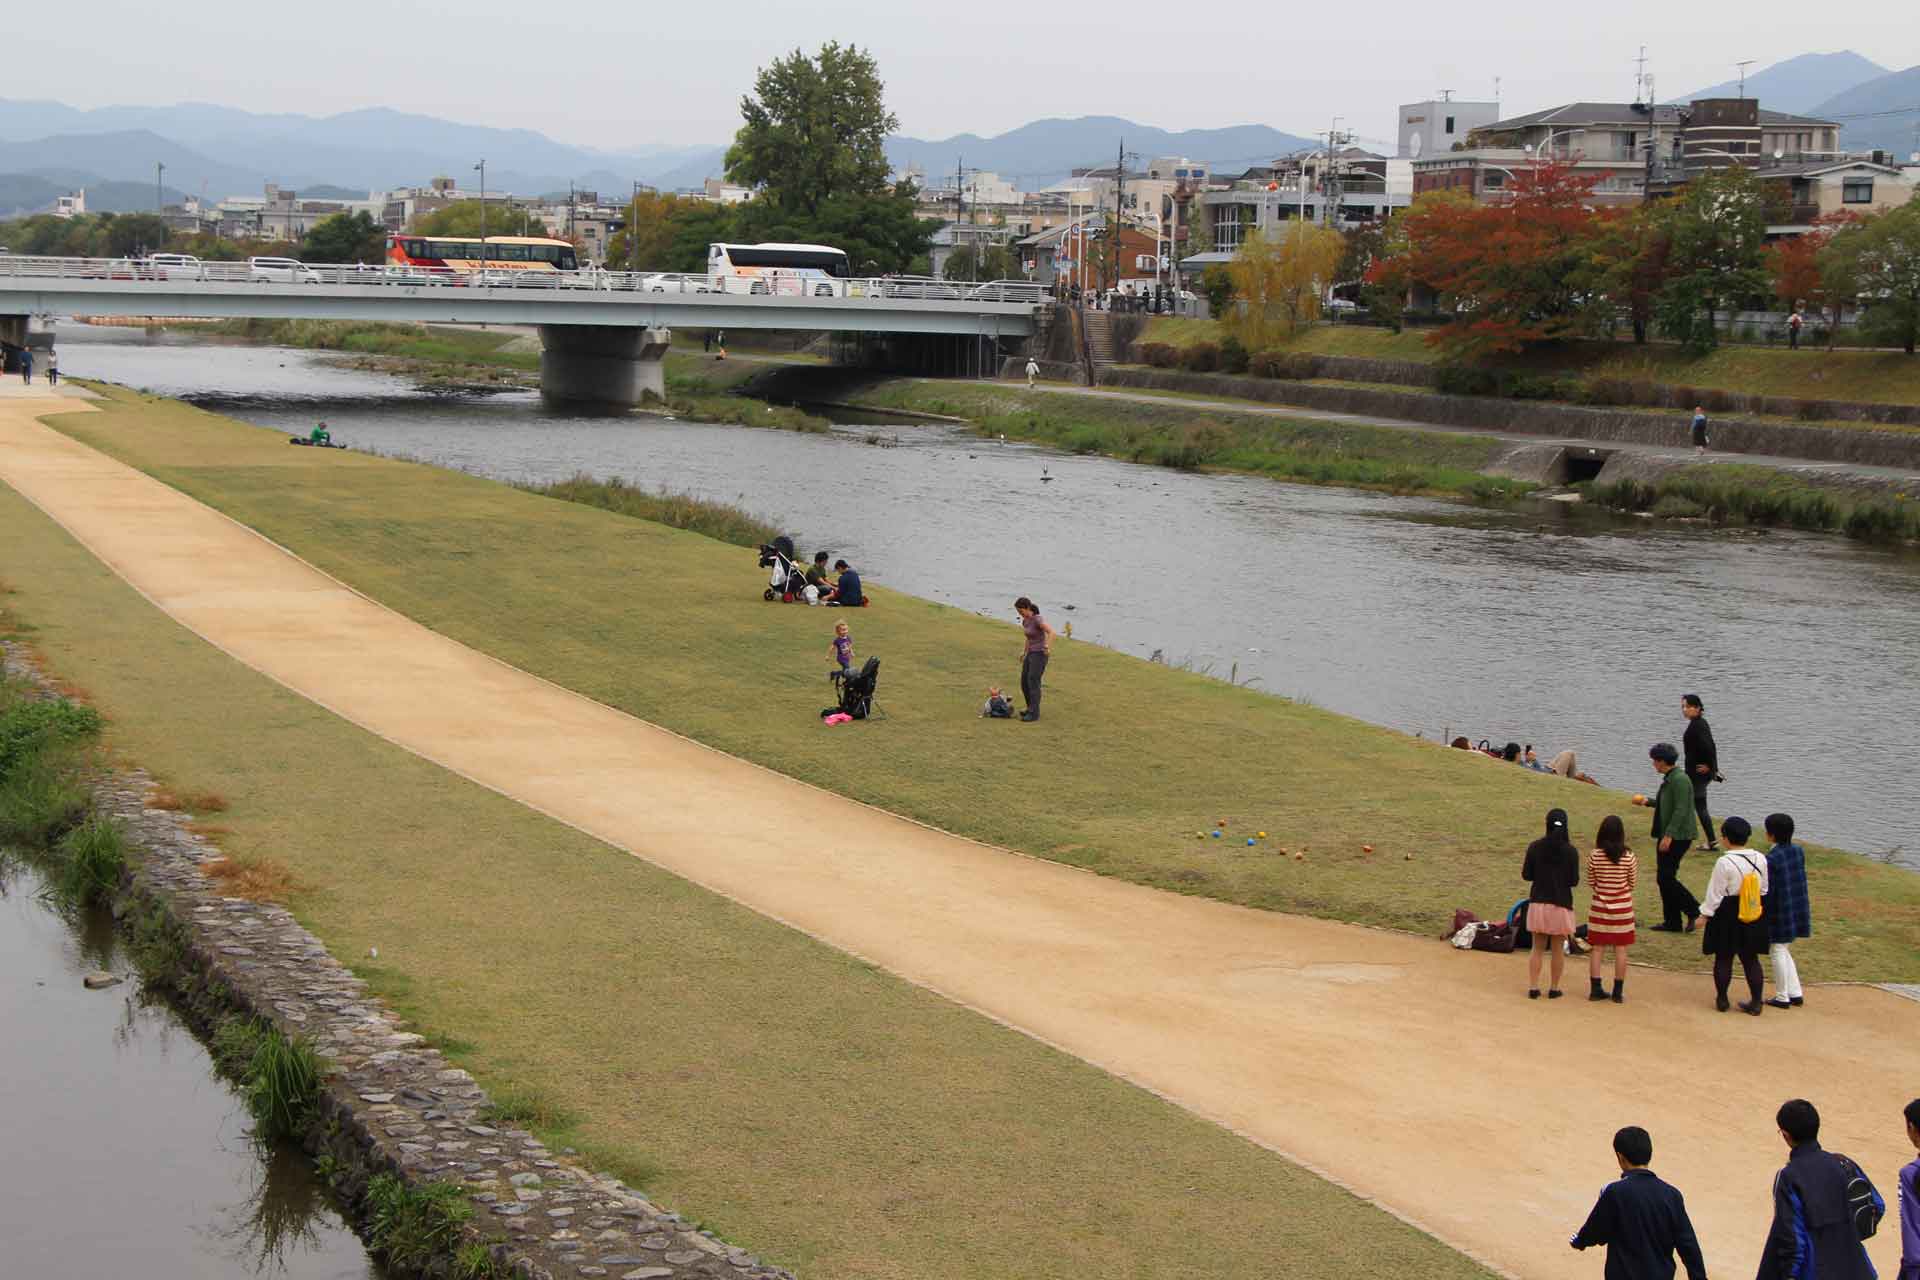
126	1154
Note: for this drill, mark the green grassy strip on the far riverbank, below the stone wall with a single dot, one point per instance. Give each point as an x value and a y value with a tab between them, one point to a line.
1176	435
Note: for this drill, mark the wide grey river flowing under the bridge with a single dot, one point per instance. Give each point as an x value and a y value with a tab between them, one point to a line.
1547	625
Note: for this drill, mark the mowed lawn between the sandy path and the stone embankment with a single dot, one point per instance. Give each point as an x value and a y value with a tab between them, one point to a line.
800	1102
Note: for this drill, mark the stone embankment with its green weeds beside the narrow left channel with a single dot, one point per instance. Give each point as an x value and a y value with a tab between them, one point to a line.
437	1177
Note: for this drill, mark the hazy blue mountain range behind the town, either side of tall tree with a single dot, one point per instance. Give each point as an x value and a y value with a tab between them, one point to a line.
220	153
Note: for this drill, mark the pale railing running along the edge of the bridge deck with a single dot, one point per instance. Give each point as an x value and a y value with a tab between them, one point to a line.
168	272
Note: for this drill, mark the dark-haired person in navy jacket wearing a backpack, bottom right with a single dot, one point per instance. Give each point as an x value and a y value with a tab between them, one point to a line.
1813	1235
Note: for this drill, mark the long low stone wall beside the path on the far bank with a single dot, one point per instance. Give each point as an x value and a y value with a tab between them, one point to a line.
1823	444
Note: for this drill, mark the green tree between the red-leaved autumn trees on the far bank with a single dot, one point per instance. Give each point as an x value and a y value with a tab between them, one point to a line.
1716	245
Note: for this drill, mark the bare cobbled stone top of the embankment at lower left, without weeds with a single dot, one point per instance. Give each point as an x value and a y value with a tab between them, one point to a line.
393	1104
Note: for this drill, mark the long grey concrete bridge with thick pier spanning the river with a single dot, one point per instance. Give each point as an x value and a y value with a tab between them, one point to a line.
604	333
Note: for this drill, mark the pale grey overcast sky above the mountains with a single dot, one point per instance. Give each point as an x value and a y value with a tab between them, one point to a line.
673	74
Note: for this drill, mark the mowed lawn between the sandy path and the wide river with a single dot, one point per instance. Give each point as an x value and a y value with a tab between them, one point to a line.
1130	763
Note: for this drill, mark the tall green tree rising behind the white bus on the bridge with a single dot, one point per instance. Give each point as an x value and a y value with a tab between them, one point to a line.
815	131
